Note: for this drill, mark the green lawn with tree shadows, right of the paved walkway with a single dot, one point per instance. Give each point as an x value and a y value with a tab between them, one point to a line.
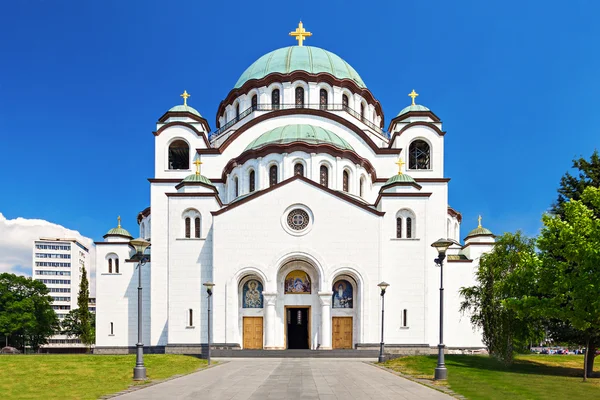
530	377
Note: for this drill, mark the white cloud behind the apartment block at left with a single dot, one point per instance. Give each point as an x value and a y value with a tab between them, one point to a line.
16	242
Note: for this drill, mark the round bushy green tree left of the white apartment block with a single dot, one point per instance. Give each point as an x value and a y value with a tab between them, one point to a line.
26	314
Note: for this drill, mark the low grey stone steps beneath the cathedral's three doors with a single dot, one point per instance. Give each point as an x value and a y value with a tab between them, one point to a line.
294	353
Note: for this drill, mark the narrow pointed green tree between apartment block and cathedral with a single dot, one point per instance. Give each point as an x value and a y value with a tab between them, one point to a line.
80	322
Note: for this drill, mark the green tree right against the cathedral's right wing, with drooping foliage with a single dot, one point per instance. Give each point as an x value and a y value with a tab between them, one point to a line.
503	274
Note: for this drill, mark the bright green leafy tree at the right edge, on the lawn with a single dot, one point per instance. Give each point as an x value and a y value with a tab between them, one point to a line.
569	280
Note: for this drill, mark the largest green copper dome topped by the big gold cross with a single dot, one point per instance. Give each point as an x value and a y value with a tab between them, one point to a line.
313	60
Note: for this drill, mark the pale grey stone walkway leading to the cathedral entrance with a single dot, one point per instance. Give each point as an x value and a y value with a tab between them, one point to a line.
288	378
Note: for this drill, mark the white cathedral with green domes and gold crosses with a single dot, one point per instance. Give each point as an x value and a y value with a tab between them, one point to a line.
296	207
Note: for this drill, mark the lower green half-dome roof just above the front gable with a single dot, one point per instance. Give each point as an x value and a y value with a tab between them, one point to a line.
299	133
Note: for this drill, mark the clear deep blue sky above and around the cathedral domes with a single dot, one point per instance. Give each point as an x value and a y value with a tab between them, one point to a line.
83	83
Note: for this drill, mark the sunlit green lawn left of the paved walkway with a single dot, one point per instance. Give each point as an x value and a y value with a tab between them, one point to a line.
81	376
